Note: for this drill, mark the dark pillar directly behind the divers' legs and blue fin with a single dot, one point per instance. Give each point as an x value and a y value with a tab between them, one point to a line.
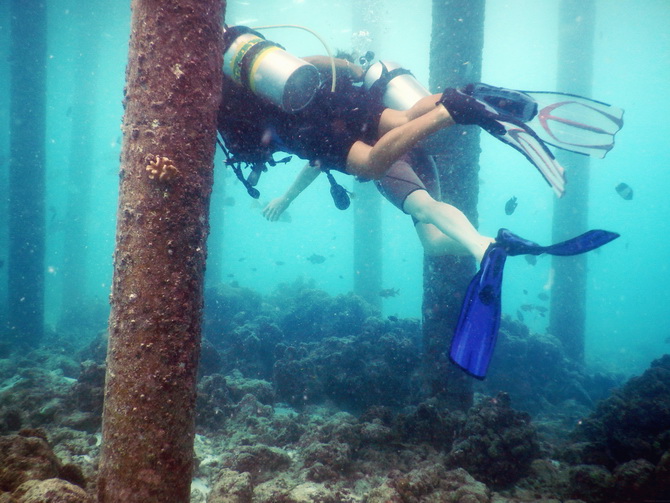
455	59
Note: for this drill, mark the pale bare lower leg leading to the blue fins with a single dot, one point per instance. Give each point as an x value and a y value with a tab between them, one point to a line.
449	220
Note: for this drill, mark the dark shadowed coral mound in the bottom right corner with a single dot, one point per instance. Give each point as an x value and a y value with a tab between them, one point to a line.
623	447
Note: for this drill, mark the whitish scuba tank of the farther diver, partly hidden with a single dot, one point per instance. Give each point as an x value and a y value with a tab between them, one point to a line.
400	89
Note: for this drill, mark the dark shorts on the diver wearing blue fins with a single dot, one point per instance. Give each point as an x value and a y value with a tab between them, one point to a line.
413	171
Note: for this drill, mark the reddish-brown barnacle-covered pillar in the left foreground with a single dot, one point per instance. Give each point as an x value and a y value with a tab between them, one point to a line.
172	96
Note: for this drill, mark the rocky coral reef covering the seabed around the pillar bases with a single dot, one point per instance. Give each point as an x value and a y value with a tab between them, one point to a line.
304	397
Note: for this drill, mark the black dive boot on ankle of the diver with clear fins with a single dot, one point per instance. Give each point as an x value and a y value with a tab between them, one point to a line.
465	109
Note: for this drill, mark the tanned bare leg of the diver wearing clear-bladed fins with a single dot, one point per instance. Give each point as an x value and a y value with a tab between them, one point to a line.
373	162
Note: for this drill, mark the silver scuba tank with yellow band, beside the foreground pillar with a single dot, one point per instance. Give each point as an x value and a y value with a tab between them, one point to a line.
268	70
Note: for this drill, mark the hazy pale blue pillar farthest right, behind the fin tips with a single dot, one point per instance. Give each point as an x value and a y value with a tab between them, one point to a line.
575	75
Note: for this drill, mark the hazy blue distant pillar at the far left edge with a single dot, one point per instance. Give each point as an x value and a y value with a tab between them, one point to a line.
27	125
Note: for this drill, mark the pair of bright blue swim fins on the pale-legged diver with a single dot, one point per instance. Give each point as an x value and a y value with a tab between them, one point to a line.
477	328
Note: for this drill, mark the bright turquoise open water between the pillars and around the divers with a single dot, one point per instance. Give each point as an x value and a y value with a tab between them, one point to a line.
627	323
